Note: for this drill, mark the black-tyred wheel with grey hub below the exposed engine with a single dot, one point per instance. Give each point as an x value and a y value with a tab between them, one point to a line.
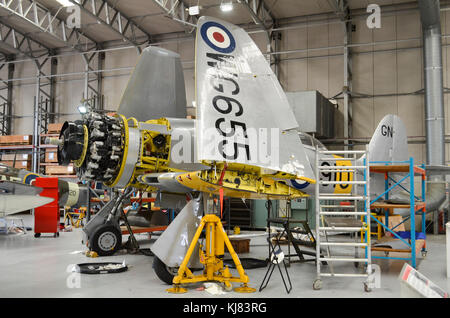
106	240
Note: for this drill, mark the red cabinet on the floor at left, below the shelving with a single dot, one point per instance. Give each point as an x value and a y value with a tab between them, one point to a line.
46	217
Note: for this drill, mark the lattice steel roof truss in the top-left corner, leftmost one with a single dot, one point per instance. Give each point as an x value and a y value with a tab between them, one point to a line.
40	17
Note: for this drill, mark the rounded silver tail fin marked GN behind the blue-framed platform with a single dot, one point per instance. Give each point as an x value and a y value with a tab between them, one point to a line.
389	141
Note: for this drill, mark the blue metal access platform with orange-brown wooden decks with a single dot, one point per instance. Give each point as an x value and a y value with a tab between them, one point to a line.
415	205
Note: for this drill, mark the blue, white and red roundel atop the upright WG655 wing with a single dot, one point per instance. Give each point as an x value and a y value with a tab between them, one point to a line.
218	37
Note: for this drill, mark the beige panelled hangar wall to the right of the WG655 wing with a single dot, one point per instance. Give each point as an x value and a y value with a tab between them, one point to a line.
389	72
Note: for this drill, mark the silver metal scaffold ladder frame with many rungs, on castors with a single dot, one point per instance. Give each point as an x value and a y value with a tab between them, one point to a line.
336	210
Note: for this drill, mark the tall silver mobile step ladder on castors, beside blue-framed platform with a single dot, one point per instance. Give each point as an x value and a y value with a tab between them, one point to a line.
342	184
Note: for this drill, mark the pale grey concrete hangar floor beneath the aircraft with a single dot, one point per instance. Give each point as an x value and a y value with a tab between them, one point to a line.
33	267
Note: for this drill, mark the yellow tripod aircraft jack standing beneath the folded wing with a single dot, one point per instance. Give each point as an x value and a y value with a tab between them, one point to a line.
212	259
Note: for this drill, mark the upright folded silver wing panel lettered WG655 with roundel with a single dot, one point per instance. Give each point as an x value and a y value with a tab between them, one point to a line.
236	87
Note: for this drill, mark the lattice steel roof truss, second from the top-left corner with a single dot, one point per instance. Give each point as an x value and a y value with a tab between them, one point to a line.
115	20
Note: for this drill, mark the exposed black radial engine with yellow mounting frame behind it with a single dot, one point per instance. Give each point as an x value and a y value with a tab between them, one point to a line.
116	150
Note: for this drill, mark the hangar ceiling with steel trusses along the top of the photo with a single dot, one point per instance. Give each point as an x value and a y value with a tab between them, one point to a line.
34	27
